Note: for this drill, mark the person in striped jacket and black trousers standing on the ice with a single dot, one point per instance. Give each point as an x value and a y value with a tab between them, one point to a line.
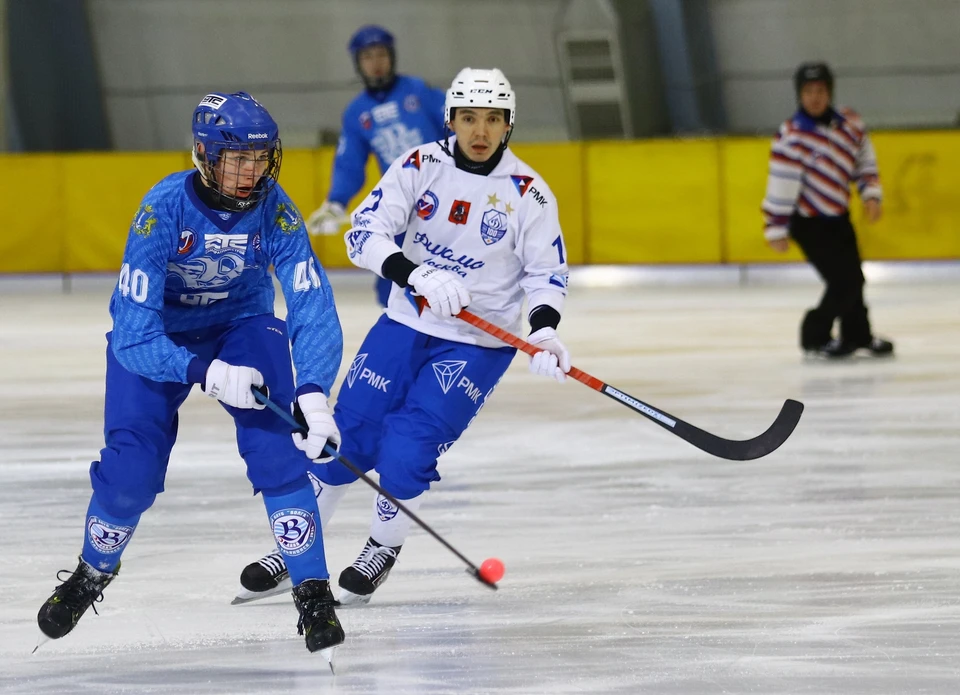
815	157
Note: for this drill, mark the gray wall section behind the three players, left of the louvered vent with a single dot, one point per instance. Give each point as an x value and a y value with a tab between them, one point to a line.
159	57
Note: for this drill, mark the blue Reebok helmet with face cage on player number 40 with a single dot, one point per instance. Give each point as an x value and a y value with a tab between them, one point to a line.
235	122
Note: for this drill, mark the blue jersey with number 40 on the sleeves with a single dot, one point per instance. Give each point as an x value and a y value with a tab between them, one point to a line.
187	267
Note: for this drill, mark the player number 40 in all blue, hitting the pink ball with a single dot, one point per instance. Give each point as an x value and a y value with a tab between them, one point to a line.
194	305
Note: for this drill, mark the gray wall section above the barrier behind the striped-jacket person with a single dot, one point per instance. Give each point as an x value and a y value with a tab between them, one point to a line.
897	61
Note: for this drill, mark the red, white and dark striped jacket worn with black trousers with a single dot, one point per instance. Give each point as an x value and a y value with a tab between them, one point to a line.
812	166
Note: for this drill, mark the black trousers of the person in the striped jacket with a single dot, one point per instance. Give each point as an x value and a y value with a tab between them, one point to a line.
830	244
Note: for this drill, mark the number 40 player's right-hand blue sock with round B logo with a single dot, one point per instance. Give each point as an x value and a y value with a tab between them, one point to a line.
294	518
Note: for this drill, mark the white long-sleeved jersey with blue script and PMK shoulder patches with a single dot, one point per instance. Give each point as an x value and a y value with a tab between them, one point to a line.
500	233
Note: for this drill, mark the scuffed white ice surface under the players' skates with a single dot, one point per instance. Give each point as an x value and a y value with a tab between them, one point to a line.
635	563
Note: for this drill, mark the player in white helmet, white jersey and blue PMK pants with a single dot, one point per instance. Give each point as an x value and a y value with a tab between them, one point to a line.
482	231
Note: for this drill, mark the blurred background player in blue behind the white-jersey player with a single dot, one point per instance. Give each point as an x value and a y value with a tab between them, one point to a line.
394	113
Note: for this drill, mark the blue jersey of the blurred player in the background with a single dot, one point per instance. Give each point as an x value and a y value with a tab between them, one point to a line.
410	114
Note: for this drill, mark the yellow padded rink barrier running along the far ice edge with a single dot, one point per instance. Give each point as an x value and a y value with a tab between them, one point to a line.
677	201
